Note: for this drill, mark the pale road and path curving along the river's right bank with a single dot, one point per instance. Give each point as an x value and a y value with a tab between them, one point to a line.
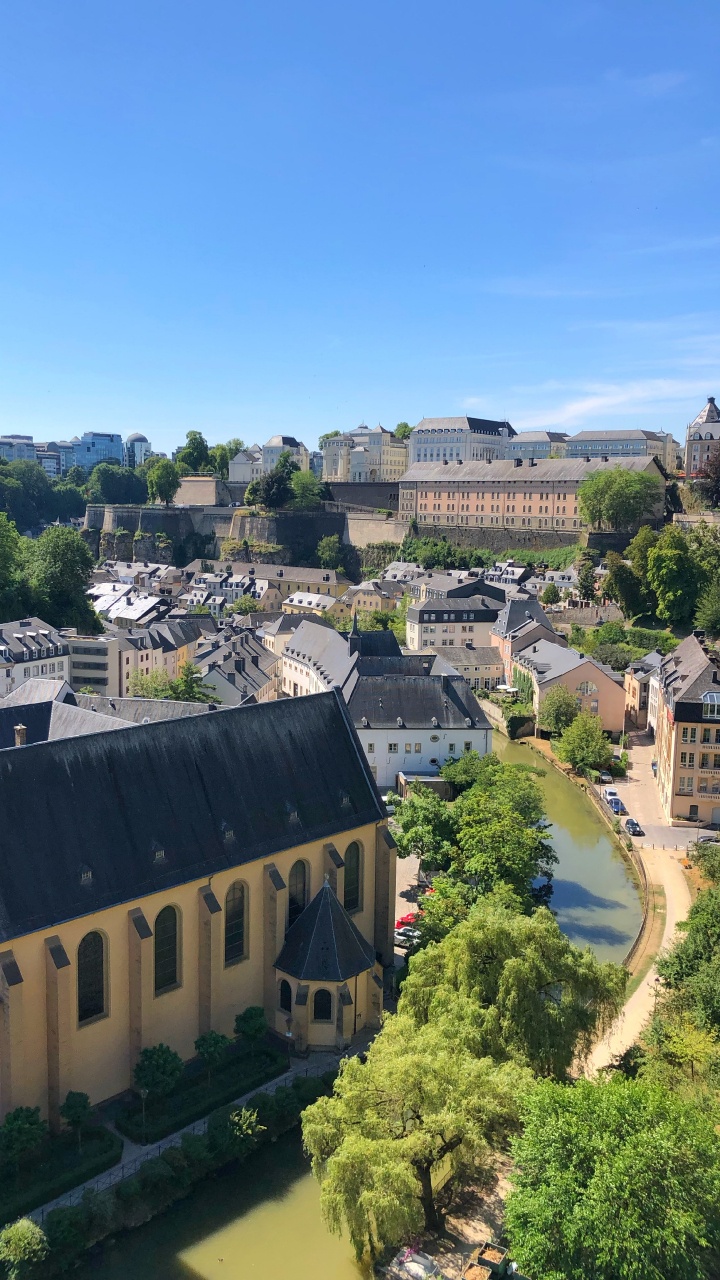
663	866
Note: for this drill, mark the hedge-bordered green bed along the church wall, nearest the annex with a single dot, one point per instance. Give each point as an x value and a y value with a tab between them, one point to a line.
197	1098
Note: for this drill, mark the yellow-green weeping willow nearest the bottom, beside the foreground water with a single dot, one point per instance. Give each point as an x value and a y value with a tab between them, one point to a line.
393	1119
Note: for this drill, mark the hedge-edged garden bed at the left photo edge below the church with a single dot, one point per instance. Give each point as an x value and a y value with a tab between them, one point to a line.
66	1168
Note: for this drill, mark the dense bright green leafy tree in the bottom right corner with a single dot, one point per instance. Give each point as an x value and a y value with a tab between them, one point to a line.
614	1181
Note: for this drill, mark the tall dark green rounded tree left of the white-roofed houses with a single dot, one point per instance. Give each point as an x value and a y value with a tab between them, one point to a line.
60	568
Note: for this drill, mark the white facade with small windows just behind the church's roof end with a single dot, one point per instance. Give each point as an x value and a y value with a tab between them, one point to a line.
418	751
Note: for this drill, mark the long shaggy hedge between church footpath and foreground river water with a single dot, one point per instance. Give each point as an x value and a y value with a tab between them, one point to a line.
165	1180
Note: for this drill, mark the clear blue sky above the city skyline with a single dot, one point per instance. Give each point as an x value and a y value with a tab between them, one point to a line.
248	218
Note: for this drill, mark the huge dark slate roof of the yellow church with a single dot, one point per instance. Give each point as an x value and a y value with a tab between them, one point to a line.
211	792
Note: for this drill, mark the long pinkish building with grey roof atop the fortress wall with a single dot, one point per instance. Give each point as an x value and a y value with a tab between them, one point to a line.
511	495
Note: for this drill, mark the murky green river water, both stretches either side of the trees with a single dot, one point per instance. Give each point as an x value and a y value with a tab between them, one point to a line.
263	1222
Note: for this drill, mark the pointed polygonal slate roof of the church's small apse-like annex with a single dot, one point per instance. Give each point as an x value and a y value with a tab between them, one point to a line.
325	945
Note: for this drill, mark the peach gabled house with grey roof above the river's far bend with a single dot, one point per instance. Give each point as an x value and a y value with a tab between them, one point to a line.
595	687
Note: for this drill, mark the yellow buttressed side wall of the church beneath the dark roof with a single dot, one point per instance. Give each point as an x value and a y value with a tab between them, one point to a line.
98	1058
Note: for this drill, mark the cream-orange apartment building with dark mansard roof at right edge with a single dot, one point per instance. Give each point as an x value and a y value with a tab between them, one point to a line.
687	733
